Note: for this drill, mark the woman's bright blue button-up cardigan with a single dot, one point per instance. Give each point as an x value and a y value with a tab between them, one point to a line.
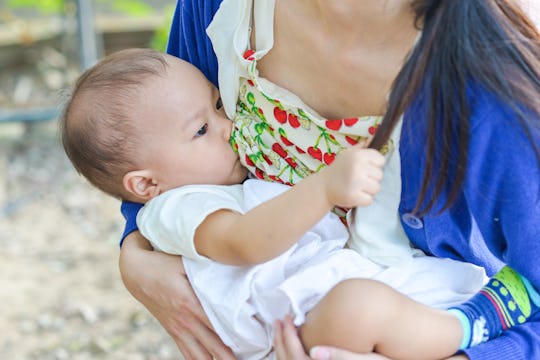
496	218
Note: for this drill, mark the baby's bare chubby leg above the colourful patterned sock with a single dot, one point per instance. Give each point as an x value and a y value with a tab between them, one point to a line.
365	316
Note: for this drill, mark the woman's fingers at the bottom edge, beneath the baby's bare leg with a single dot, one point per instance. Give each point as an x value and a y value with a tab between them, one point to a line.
288	346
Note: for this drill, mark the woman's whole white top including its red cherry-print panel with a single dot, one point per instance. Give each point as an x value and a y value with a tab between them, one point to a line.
279	138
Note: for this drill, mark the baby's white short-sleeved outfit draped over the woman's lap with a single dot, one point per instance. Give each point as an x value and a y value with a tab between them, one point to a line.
243	302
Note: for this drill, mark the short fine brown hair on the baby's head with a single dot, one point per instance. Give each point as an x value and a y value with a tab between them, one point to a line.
96	125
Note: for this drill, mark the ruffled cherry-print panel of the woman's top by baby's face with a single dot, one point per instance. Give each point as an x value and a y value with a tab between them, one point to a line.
280	141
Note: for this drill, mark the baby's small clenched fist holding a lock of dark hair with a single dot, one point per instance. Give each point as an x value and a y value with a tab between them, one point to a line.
355	177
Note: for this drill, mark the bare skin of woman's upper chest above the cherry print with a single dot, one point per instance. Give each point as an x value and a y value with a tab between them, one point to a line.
338	76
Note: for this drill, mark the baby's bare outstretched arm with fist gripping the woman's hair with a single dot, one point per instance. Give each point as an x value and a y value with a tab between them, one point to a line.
271	228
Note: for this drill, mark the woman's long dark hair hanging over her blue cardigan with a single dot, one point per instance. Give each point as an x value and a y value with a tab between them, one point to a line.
490	42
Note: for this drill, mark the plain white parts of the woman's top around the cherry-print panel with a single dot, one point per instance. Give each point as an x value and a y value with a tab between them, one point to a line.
376	230
